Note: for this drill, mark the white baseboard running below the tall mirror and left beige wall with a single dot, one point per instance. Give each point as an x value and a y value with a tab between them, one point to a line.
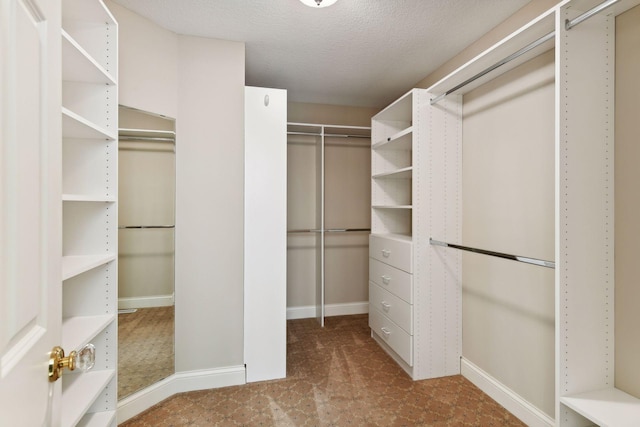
178	383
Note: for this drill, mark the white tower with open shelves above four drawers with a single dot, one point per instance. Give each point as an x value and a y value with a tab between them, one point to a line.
415	292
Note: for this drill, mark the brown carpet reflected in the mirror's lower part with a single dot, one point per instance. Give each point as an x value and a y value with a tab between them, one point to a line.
145	348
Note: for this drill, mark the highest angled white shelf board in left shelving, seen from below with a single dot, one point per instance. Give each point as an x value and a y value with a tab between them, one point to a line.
79	66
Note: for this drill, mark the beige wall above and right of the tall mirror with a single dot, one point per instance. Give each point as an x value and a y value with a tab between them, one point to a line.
199	82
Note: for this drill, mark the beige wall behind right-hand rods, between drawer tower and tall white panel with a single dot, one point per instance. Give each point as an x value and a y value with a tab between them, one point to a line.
508	206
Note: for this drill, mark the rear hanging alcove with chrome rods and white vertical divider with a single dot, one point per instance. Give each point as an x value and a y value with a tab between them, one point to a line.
328	219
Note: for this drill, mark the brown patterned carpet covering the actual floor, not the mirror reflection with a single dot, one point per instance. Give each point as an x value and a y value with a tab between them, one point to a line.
336	376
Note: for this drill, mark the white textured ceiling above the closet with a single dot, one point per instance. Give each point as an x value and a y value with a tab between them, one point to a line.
356	52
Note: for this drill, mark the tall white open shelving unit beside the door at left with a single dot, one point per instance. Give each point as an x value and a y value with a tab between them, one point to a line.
89	186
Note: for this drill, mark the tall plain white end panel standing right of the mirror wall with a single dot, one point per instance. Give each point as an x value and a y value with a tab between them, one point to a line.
265	238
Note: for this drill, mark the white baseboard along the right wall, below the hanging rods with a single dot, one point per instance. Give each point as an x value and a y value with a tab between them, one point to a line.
511	401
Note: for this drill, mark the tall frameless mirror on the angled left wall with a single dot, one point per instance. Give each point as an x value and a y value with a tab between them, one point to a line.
146	229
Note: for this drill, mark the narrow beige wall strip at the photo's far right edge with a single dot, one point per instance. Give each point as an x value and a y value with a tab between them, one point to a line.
627	199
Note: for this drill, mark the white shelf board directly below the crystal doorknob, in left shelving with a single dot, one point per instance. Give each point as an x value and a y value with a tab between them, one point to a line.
79	391
